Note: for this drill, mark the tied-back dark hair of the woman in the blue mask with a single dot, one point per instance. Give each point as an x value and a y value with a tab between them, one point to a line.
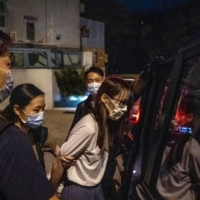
21	96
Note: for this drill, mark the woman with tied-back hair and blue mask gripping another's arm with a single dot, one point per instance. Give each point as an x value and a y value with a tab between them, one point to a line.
26	110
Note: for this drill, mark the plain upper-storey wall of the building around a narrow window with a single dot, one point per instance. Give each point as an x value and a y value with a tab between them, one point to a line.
53	17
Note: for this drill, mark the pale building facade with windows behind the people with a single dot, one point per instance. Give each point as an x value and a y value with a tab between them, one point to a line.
48	36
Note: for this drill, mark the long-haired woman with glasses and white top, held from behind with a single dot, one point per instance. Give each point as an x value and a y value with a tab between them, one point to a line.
89	141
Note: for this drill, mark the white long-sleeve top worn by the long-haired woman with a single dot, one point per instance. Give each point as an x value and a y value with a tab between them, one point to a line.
82	143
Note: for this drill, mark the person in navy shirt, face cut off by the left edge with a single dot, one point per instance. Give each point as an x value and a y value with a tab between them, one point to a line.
22	177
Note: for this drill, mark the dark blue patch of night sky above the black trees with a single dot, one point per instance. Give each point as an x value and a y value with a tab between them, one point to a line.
143	5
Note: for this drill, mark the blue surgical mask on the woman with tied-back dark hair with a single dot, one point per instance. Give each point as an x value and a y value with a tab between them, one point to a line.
34	120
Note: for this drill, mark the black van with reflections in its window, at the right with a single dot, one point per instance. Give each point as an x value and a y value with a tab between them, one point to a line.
161	162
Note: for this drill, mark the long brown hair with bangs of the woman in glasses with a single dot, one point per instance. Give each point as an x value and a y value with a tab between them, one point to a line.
112	86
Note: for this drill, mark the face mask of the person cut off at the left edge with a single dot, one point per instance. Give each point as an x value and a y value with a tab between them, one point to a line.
7	89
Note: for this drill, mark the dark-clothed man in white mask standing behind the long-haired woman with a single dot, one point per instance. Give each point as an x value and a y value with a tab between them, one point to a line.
94	77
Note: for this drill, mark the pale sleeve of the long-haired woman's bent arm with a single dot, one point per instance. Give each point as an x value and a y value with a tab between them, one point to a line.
78	140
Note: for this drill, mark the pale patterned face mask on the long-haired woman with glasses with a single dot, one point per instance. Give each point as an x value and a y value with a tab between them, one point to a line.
117	112
